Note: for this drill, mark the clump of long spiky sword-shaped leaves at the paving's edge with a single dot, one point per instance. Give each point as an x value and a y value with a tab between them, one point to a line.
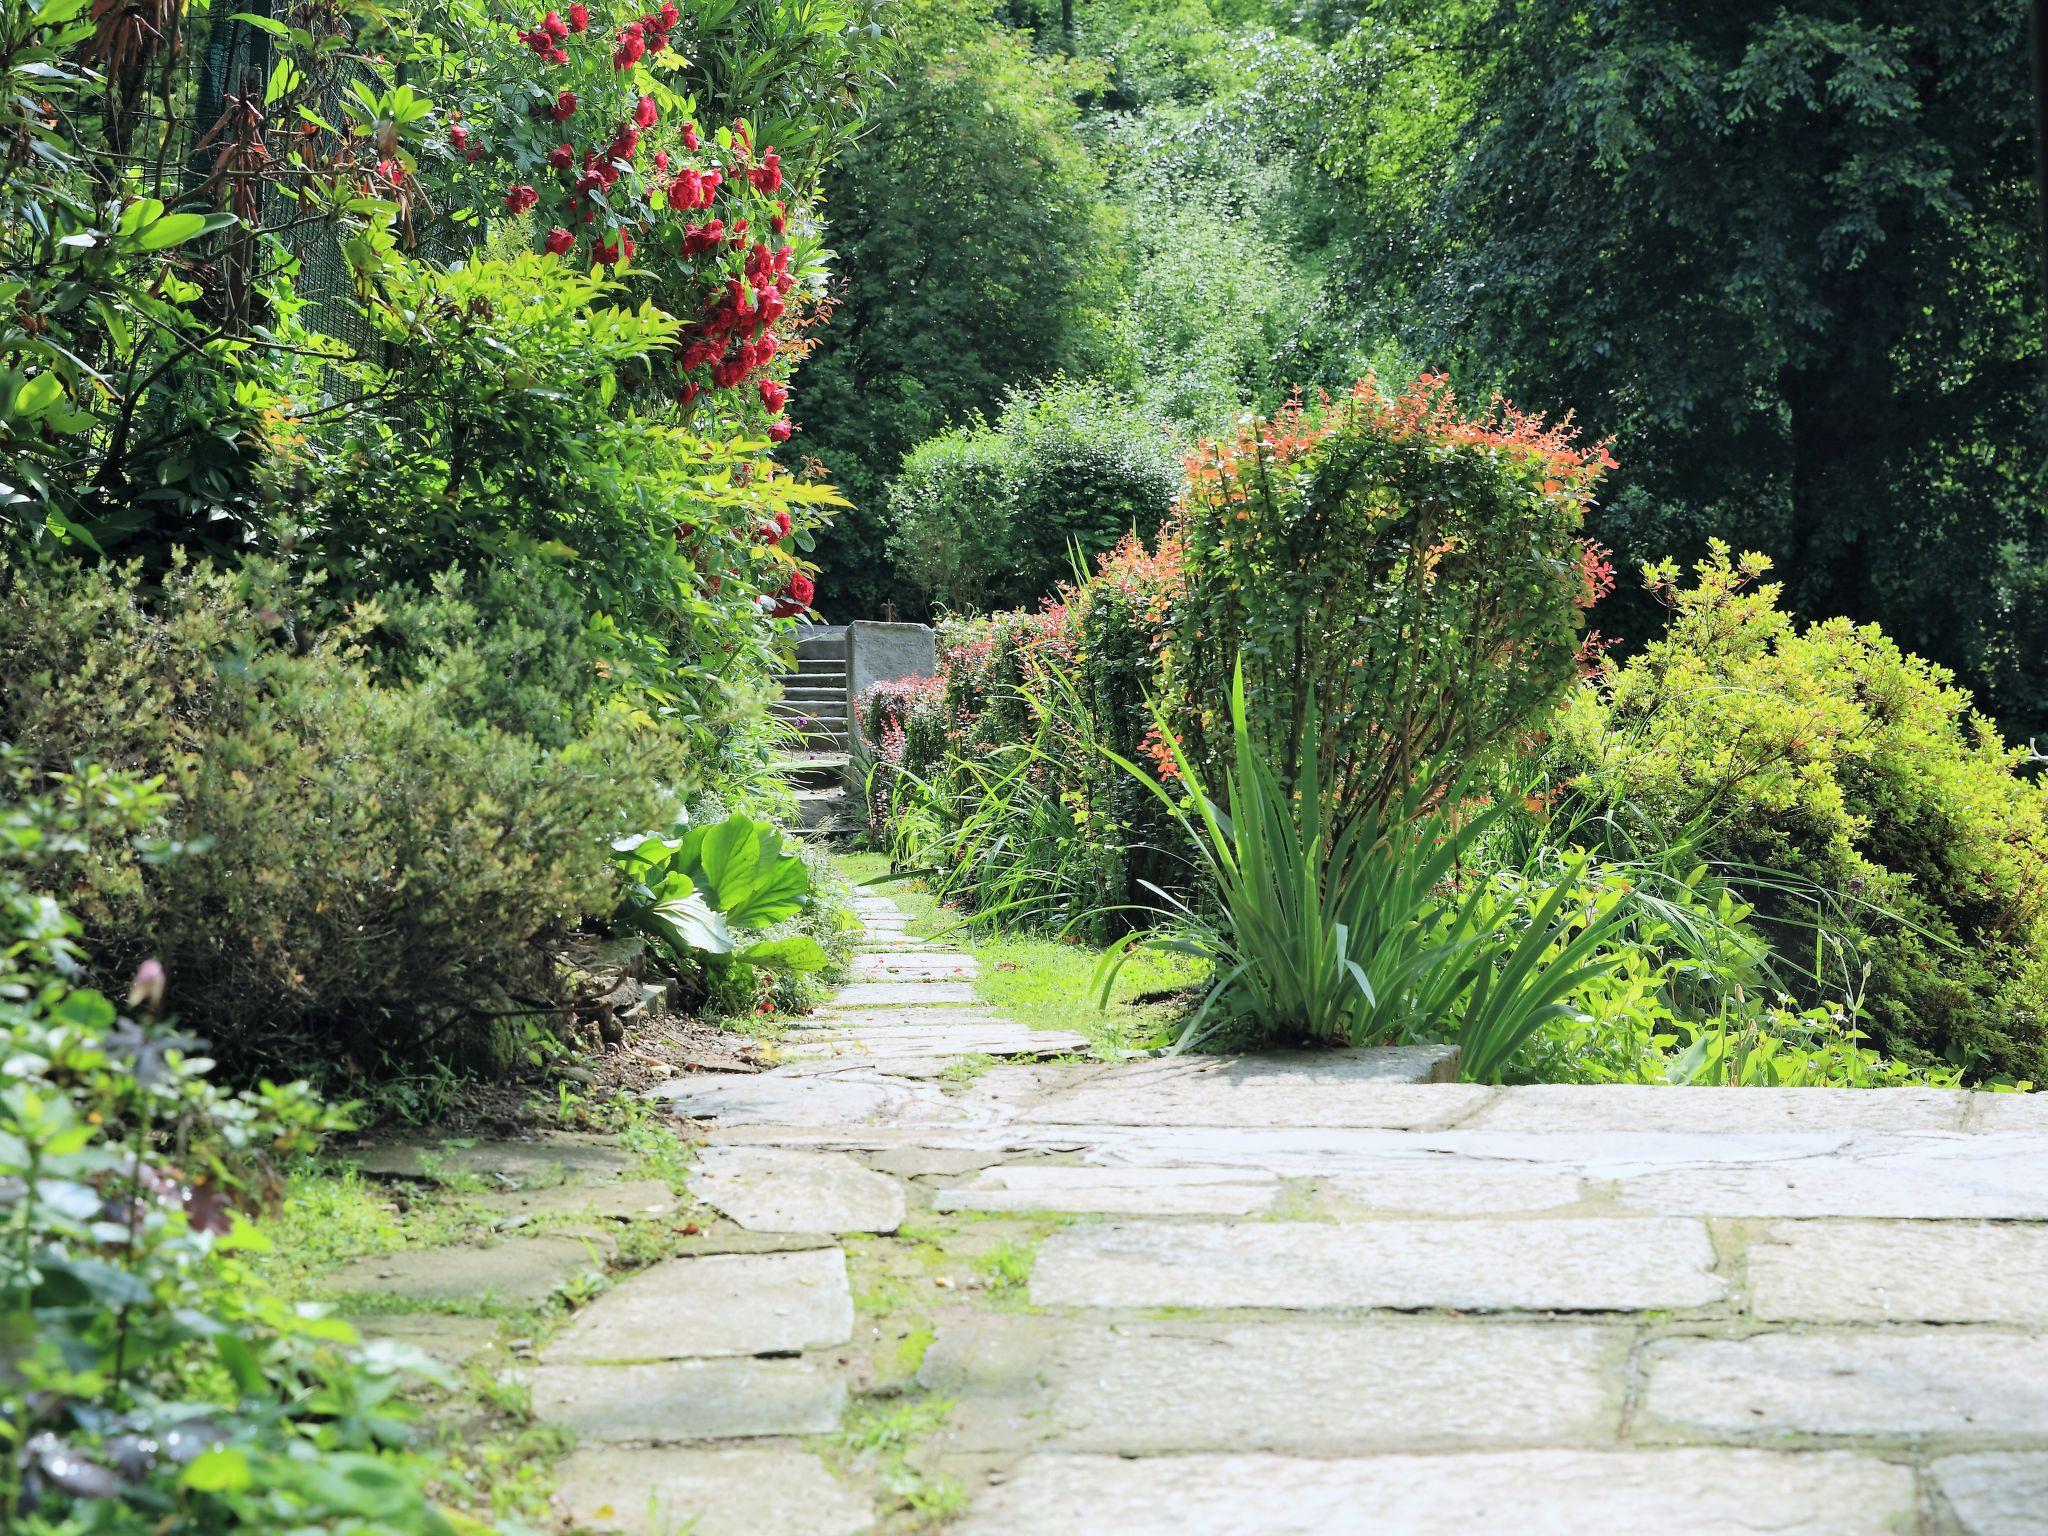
1357	925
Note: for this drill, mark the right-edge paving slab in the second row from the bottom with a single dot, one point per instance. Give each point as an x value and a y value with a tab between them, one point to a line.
1850	1383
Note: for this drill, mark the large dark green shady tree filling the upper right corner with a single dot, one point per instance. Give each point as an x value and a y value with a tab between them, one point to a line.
1785	253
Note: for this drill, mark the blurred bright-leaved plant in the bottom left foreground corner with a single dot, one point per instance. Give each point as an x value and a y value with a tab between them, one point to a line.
153	1383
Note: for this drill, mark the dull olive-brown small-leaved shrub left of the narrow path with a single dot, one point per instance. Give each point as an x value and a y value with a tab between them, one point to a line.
374	871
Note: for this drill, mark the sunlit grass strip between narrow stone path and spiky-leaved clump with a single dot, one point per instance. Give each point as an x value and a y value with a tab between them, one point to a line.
1050	982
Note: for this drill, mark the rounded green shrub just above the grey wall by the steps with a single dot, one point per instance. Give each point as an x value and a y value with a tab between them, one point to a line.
990	517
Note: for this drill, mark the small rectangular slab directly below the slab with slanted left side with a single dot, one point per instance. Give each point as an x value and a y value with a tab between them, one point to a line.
689	1400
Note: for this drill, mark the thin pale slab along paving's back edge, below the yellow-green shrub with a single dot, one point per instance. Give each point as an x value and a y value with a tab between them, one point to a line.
1705	1111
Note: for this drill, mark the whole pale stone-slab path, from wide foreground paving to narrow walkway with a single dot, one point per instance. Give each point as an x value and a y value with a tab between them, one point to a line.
1314	1297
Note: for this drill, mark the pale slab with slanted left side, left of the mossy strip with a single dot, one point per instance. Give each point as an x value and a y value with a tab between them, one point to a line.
720	1306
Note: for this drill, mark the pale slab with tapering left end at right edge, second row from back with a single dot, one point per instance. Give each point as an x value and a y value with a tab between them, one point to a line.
1988	1177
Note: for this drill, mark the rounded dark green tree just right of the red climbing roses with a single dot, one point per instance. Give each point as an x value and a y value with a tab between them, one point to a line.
978	257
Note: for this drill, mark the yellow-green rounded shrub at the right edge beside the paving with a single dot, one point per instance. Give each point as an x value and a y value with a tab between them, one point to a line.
1836	779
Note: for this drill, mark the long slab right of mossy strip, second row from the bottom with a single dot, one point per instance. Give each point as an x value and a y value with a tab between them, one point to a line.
1306	1388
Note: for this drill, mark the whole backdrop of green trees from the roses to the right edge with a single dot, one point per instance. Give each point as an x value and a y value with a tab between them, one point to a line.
1787	257
